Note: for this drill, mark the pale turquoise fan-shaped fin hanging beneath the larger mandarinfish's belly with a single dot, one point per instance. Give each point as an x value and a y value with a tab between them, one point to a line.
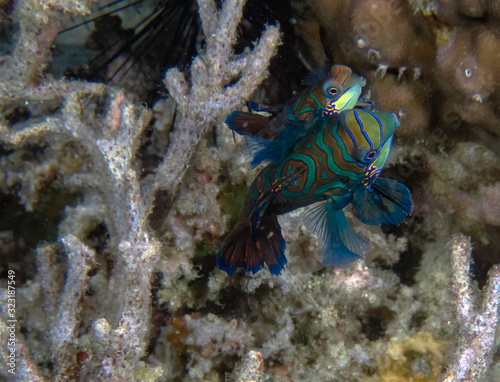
338	242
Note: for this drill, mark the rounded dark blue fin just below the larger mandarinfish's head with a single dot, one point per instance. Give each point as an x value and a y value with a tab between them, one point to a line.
386	201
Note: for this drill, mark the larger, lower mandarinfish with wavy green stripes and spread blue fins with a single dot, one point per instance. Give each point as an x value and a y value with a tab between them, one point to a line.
336	163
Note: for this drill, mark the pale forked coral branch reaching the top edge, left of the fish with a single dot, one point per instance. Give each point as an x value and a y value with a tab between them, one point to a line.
210	94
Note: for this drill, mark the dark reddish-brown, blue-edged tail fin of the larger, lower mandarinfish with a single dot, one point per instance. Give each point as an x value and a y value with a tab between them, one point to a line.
244	249
